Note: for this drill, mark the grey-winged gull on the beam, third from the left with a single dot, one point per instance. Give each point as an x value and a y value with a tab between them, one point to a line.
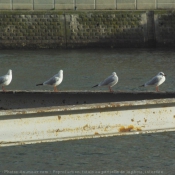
110	81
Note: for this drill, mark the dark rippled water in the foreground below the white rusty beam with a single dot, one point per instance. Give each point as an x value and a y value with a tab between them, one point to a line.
134	154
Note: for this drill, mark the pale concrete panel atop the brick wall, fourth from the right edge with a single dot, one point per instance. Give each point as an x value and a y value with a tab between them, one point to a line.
104	4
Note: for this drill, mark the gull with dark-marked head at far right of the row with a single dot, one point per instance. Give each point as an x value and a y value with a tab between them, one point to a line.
156	81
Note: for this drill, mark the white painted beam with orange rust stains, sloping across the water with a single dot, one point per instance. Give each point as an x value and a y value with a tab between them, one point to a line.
48	124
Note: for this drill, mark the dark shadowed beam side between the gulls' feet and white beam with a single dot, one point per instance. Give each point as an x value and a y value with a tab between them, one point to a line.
24	99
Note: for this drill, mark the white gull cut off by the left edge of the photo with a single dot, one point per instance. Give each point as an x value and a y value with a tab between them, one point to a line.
5	80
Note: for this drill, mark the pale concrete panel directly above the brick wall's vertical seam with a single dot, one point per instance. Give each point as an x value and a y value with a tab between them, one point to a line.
64	4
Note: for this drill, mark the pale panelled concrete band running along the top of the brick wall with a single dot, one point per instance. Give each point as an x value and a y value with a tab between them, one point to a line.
86	4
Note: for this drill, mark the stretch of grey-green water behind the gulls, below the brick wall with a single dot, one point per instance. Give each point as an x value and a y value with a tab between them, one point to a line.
87	67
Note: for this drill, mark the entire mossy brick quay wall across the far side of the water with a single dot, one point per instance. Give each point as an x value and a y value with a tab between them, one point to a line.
77	29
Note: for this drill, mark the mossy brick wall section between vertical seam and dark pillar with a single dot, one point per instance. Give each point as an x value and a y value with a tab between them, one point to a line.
117	29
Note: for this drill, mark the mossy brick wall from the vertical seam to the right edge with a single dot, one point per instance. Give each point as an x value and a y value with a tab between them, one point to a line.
122	29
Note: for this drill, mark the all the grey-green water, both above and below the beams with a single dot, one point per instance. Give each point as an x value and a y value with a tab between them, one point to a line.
135	154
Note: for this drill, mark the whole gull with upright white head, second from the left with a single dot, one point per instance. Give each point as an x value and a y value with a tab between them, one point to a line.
54	81
